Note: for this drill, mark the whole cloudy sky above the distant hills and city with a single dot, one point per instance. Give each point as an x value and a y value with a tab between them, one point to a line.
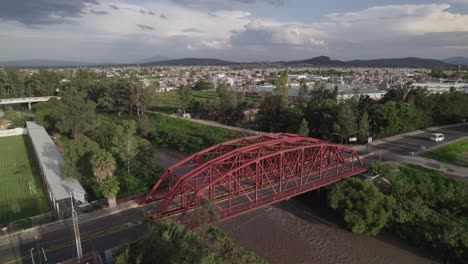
125	31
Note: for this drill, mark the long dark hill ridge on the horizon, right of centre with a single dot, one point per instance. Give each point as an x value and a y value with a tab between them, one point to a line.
399	62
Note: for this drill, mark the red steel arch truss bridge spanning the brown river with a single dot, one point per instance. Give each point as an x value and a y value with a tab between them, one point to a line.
244	174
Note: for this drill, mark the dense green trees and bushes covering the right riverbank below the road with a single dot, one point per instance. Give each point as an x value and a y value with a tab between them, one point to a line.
429	210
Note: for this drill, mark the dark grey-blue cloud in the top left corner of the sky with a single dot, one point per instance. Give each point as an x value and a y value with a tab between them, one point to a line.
40	12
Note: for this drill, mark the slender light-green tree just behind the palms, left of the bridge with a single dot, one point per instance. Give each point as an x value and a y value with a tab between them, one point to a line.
126	143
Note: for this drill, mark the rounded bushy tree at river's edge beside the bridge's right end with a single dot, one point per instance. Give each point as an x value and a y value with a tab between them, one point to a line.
365	210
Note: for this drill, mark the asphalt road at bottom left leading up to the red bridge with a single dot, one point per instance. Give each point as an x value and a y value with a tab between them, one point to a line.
96	235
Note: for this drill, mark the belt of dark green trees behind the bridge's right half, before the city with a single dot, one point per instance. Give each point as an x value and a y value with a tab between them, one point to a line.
399	111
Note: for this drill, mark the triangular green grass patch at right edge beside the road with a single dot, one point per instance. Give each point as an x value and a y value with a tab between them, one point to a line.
455	153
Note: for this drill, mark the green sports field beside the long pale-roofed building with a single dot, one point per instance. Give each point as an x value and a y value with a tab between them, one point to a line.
21	191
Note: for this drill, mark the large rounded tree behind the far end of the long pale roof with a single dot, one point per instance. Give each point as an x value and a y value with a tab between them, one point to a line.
74	113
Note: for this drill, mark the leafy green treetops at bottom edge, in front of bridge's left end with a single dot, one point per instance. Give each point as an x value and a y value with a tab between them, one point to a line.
168	242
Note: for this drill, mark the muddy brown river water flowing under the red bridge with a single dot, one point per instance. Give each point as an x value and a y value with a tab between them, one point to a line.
292	232
